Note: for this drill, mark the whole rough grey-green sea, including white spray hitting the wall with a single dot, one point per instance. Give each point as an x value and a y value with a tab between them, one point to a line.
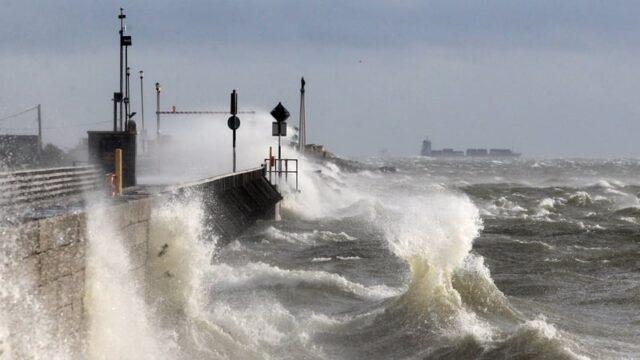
443	259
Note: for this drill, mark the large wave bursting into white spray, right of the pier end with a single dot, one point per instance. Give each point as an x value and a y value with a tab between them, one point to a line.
451	306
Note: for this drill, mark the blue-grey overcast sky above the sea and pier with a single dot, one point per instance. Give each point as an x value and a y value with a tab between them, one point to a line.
547	78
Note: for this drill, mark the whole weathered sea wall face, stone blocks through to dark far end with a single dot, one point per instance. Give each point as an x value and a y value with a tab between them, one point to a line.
48	255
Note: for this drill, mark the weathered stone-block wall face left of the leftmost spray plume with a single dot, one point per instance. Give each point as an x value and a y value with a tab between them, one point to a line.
47	263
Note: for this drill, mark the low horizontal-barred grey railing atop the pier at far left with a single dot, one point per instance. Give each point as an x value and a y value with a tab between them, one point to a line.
34	185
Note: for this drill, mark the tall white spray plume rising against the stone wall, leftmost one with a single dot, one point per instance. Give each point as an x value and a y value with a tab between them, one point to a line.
120	324
